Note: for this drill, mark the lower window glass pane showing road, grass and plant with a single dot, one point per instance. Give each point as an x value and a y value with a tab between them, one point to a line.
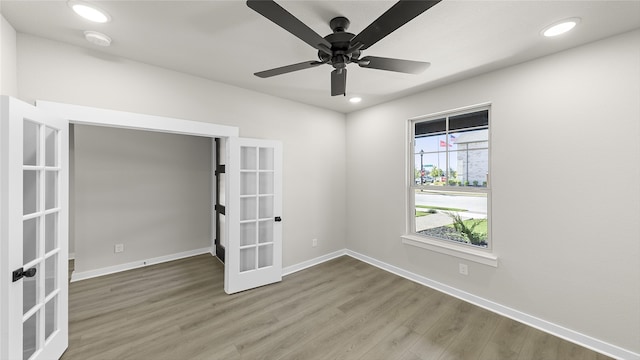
455	216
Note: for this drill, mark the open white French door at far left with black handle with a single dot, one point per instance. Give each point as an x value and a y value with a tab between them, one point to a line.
34	230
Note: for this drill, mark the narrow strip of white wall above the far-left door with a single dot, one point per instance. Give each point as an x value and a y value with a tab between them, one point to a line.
8	80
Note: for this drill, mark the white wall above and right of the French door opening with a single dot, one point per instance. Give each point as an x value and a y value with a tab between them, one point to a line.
314	199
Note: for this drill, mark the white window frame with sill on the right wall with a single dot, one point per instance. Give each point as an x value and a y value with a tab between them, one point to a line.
483	255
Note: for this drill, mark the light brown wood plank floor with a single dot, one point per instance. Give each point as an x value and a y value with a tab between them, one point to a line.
341	309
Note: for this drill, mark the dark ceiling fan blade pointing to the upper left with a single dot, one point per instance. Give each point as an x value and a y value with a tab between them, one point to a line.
281	17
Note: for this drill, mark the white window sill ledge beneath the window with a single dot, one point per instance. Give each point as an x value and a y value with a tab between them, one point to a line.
443	247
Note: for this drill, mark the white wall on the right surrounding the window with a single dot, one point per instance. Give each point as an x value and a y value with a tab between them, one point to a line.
565	178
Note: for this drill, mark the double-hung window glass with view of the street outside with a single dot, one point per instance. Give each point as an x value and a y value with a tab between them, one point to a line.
450	187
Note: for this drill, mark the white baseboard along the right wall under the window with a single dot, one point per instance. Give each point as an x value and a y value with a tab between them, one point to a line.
543	325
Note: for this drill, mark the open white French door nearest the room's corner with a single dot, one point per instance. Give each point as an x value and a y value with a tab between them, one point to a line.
253	212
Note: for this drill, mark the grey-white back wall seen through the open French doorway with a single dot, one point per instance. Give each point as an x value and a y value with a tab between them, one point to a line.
148	191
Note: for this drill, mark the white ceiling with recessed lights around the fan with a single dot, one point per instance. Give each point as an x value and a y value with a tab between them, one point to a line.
227	42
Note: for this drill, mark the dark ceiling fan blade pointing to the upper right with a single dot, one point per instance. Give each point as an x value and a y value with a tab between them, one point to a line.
399	14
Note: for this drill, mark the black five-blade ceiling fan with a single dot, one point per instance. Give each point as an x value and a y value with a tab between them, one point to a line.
342	48
